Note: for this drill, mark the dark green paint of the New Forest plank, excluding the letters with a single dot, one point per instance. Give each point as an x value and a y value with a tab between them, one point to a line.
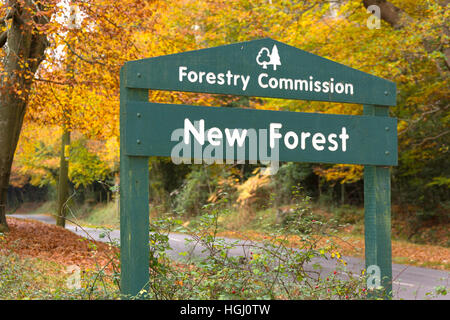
373	140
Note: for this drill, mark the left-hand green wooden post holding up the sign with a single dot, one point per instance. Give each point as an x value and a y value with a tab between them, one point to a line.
134	208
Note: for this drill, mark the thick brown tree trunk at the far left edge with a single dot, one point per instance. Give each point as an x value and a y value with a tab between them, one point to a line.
23	54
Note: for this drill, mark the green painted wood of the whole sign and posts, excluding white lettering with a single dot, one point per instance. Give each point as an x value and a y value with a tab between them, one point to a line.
375	133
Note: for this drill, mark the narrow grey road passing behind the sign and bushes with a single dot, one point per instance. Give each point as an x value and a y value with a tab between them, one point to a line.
410	283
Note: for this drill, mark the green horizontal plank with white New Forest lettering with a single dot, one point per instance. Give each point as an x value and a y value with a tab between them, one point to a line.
158	129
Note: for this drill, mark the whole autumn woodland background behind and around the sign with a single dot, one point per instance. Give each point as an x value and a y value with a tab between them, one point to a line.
76	89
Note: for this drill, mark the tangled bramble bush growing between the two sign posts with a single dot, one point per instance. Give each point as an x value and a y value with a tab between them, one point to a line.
268	269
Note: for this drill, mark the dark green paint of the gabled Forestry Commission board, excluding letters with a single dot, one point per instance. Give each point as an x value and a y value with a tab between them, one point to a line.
240	58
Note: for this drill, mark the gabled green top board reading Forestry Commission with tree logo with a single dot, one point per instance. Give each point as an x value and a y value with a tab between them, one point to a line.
261	68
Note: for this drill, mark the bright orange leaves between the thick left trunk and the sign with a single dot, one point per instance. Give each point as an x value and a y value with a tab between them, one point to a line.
80	87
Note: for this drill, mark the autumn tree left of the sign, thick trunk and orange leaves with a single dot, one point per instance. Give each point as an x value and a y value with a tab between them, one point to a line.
29	28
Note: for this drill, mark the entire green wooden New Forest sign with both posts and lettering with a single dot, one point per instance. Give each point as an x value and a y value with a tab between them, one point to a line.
259	68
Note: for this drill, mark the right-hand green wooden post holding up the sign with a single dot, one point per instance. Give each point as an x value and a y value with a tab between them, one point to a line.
377	214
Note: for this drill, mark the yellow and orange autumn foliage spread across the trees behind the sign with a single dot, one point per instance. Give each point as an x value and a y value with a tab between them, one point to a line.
79	86
